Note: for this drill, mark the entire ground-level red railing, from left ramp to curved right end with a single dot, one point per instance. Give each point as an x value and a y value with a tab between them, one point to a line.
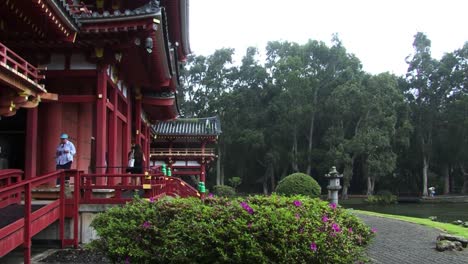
87	189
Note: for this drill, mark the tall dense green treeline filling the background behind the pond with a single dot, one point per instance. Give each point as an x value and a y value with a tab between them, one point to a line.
308	107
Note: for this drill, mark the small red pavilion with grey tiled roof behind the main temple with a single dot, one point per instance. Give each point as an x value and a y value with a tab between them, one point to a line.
185	145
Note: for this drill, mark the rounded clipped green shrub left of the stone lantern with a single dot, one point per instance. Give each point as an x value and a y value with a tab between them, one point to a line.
298	183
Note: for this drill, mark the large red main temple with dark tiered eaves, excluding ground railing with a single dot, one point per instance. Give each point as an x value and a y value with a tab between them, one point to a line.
99	70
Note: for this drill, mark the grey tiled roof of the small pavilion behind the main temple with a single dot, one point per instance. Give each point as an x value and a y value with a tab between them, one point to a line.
210	126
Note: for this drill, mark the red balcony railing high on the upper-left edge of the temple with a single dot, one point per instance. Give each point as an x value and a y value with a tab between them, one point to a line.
14	61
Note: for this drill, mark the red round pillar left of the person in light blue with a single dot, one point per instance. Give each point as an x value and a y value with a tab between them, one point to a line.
31	144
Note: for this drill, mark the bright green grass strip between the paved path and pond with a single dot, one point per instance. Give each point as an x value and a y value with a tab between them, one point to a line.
449	228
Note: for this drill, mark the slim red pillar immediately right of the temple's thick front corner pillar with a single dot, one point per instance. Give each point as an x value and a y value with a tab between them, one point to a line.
113	135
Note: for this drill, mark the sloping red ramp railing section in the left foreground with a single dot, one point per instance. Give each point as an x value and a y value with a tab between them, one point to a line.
21	231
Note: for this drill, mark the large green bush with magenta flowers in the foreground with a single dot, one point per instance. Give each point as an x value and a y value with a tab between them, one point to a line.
256	229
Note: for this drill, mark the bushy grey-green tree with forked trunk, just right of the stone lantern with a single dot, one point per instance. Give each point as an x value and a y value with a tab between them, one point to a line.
365	119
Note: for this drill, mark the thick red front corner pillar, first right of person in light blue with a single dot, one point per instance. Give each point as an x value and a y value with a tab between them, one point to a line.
101	122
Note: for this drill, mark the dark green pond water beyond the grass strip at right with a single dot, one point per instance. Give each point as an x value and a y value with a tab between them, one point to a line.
445	212
